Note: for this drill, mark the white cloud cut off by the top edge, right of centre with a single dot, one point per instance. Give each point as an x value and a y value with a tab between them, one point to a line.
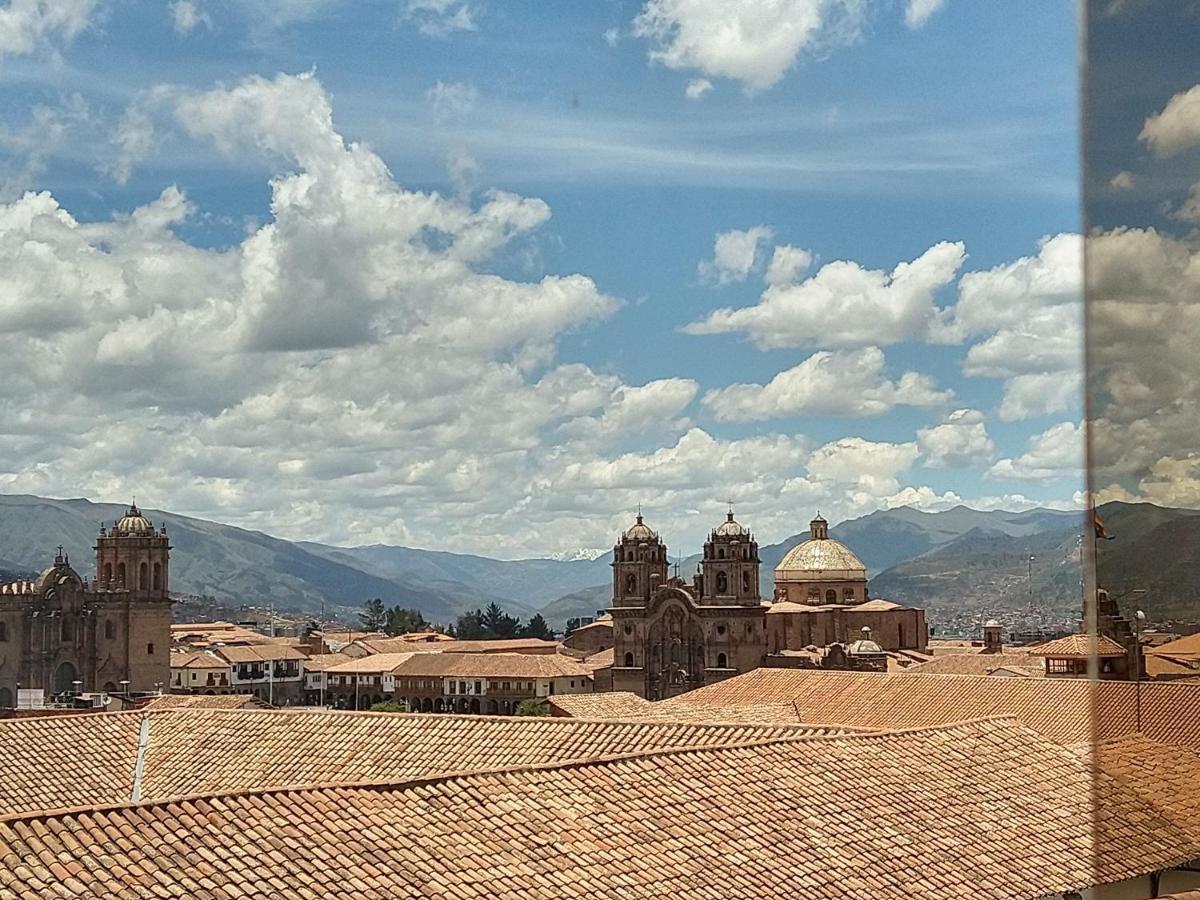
745	40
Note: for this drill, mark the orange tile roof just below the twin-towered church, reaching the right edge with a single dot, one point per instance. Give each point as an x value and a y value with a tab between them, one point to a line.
1060	709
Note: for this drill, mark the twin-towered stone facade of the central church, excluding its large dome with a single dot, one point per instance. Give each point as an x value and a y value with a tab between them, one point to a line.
670	635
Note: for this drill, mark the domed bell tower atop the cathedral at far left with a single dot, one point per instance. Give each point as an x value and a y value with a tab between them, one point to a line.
134	557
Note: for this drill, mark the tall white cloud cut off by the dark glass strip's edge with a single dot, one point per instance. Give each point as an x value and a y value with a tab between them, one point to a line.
1029	315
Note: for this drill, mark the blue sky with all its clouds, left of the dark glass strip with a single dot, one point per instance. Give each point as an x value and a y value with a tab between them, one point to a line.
867	133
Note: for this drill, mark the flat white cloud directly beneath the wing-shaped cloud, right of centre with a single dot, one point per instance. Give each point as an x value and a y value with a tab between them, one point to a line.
842	383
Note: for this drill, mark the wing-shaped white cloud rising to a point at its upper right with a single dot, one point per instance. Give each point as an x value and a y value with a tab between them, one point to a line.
845	305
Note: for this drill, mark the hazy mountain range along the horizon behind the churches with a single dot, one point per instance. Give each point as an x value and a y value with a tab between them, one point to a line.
959	563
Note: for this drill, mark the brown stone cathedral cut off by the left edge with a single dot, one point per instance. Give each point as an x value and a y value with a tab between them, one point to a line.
62	634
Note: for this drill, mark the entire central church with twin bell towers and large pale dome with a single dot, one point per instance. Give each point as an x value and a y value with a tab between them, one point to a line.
671	635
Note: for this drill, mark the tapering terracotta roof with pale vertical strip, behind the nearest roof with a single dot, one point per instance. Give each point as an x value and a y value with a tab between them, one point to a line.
83	760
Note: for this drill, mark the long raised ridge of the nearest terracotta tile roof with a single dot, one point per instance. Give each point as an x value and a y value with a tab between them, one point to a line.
440	778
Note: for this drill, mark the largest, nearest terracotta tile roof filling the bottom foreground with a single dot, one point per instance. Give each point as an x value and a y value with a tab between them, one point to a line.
979	811
